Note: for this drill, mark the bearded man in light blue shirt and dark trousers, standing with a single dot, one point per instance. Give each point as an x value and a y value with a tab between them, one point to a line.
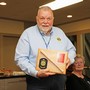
43	35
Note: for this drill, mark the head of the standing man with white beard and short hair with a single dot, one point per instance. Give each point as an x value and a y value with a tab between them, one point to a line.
45	19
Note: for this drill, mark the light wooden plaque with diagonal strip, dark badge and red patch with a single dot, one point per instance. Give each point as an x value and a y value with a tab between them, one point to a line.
55	61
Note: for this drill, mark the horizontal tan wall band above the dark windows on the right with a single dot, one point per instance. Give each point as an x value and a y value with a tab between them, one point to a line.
76	26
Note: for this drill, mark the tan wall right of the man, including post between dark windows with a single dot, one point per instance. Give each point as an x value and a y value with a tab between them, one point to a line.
78	29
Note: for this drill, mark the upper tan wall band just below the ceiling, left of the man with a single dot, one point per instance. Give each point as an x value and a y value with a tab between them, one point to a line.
11	27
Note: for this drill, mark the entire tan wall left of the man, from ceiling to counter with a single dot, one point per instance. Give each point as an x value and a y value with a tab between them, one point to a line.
9	34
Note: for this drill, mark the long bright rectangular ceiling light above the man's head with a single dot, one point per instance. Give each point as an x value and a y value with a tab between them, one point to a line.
57	4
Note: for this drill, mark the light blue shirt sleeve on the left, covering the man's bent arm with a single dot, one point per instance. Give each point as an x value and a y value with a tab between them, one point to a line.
22	55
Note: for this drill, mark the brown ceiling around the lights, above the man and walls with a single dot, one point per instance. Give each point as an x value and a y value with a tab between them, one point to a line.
26	10
